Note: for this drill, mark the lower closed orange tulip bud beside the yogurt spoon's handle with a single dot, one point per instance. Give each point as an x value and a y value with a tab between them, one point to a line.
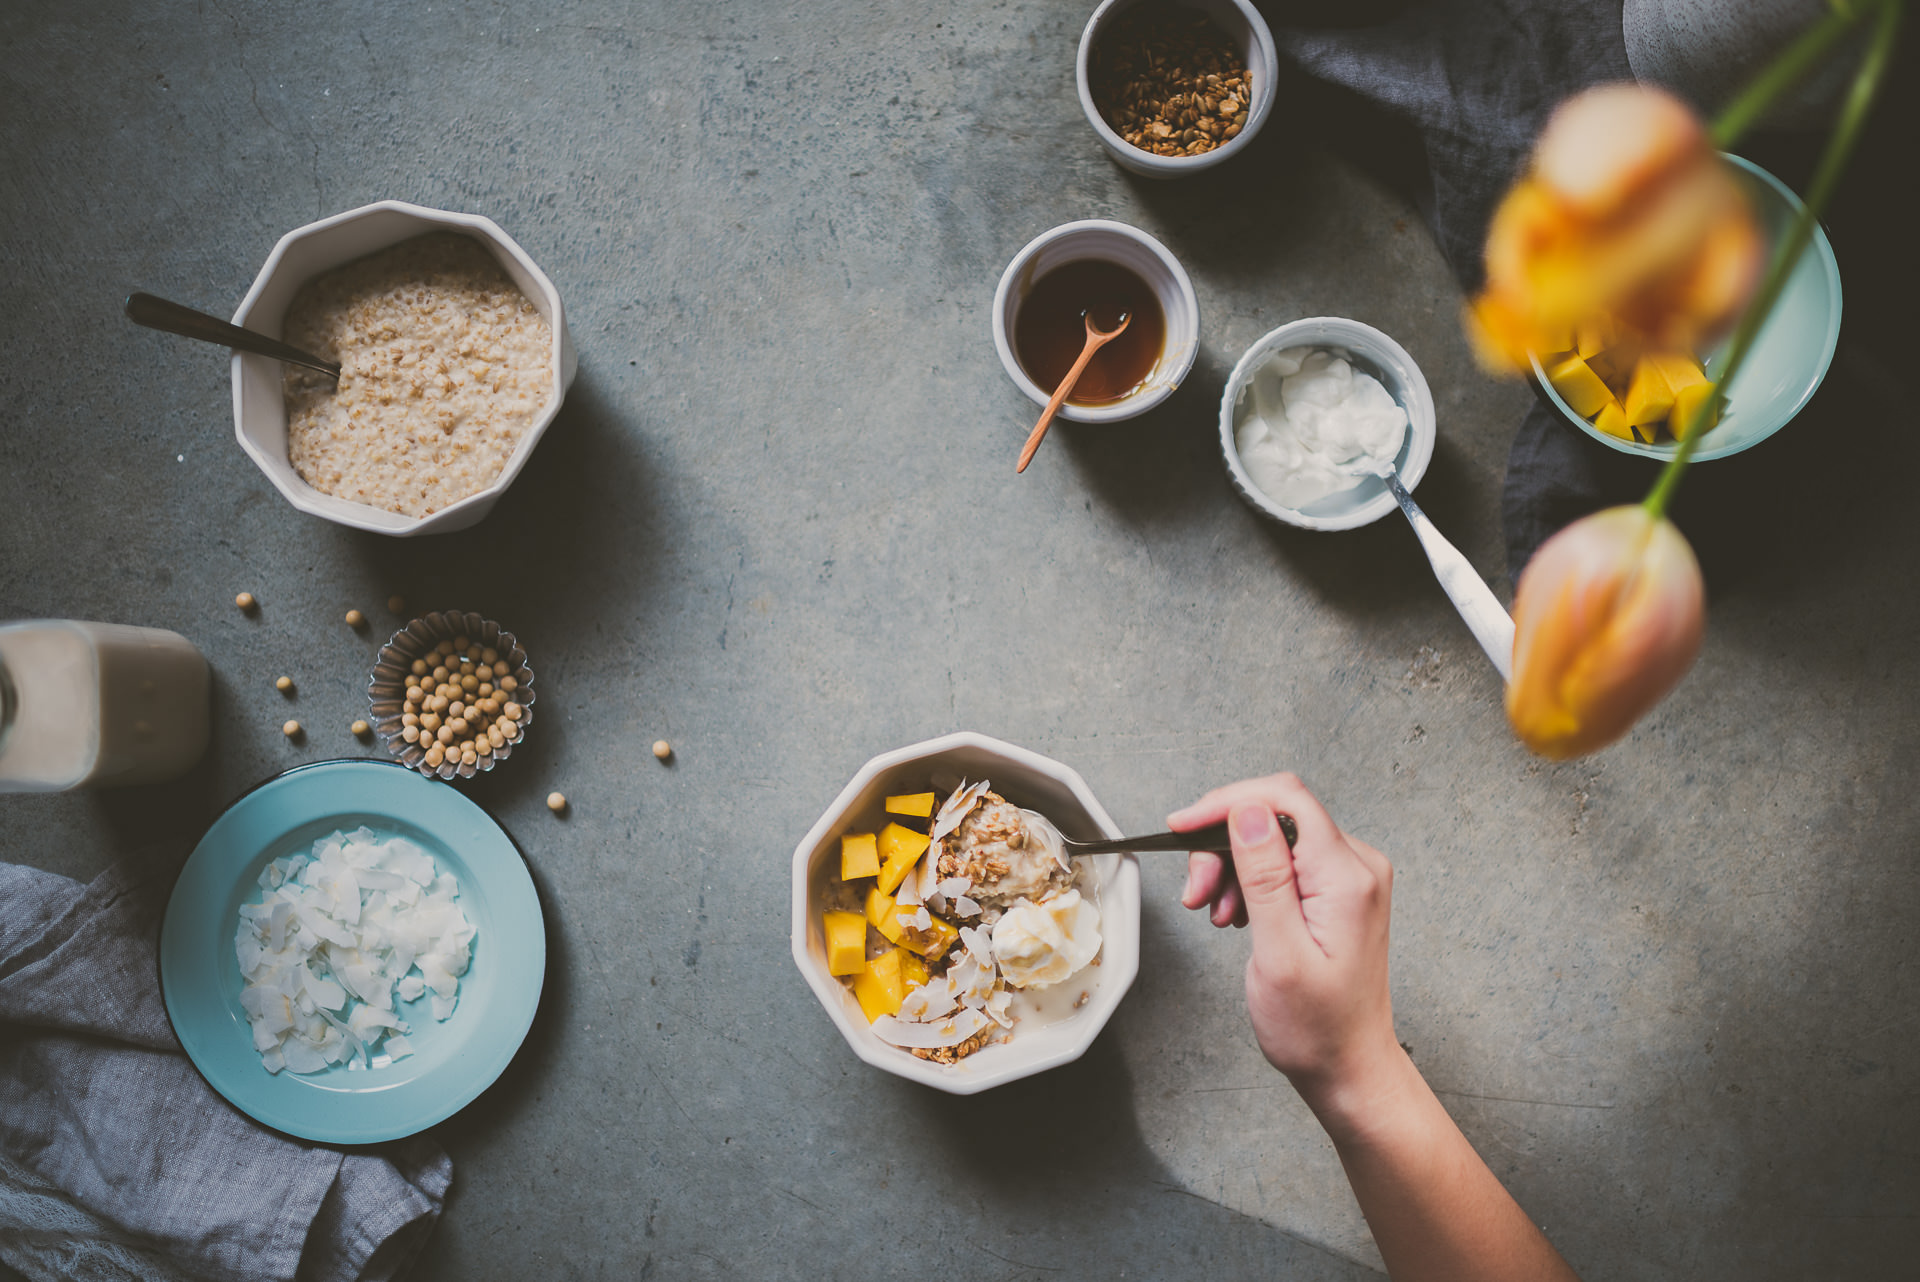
1608	619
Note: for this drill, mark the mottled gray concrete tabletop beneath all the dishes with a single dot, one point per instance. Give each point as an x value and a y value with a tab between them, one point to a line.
1668	991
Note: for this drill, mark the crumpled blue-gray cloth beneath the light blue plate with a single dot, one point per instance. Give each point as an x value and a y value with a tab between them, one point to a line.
103	1112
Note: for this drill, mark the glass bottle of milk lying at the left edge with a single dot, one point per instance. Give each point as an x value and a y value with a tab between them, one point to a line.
99	705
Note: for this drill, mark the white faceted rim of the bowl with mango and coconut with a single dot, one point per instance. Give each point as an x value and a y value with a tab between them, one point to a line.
1120	966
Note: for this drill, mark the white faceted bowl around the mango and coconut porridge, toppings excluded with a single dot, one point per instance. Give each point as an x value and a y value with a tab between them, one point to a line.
1053	1024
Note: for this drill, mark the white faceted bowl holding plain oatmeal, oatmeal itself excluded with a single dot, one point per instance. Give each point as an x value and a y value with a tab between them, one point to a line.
306	252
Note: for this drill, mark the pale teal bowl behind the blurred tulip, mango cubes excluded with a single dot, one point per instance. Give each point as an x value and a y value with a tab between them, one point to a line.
1790	354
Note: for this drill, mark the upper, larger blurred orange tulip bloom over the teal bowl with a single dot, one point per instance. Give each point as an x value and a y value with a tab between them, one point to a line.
1625	212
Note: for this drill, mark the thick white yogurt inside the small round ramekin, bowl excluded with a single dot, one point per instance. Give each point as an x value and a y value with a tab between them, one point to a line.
1308	421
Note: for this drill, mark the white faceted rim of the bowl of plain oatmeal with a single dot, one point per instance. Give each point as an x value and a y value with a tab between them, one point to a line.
360	515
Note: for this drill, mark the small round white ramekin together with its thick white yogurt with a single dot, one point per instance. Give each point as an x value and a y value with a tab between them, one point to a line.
1312	402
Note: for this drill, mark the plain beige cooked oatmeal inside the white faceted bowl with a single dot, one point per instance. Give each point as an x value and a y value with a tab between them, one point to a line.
444	366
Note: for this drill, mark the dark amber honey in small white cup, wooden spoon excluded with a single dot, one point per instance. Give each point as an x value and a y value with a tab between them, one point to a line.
1049	331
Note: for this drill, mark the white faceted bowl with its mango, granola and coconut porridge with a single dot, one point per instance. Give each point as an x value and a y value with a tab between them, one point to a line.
944	930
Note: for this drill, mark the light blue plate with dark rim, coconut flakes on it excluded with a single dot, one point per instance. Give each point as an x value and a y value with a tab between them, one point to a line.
452	1062
